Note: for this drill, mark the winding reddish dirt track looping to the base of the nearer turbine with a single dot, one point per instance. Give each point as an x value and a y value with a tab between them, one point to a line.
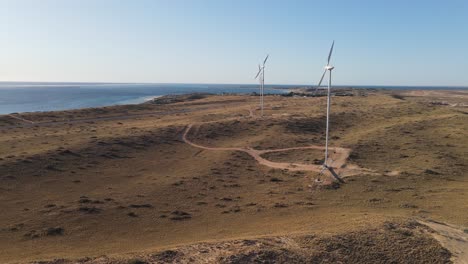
339	157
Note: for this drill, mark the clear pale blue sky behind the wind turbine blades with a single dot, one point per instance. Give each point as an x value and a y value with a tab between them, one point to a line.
378	42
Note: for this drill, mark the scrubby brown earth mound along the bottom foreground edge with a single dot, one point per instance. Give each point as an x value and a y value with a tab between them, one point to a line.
377	243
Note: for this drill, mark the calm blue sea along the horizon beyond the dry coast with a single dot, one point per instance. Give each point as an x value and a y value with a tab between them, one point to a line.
17	97
